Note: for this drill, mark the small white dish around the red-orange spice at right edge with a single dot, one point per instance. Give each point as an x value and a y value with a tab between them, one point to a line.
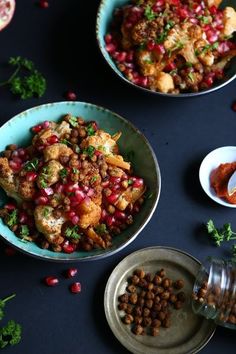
210	162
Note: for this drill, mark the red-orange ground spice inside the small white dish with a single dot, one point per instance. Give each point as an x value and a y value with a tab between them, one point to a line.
219	181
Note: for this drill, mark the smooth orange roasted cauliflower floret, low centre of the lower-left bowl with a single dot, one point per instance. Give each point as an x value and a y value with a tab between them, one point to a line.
89	214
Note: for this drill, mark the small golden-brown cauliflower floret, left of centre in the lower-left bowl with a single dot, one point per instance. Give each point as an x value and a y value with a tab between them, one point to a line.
49	174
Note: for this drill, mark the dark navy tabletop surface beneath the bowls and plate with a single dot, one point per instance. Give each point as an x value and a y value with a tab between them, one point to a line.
61	41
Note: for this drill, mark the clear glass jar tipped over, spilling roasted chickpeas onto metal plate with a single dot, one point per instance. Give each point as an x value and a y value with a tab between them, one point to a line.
214	292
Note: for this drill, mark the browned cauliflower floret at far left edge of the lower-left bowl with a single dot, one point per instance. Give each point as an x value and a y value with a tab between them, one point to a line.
7	181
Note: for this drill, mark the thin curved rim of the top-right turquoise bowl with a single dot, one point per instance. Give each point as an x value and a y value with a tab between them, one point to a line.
119	74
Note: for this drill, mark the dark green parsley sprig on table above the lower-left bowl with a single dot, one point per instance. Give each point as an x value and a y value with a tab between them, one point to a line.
26	81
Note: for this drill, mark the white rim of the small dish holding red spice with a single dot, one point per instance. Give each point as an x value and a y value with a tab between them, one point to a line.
209	191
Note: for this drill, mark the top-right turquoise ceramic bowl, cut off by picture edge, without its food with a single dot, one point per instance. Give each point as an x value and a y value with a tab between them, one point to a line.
104	19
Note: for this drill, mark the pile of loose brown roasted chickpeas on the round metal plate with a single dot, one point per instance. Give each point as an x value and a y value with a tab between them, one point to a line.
148	301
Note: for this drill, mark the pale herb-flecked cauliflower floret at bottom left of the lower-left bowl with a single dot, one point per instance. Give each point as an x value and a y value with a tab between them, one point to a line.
48	225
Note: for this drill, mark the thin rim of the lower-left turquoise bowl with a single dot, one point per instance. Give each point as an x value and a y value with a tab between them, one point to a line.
65	259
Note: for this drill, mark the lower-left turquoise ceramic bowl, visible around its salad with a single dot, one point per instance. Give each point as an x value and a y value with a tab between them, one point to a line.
17	130
